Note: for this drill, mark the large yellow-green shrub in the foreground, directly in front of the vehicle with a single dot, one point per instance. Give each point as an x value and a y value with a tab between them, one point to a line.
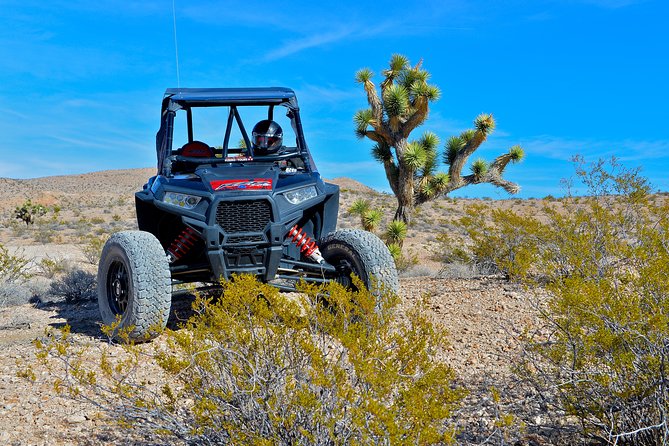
327	366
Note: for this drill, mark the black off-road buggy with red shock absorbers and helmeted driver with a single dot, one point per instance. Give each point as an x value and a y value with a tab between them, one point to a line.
238	203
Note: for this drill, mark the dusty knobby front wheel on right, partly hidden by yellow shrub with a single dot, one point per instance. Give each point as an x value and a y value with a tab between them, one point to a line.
363	254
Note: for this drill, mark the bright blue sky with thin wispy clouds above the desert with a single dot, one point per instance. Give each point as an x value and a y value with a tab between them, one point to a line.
81	81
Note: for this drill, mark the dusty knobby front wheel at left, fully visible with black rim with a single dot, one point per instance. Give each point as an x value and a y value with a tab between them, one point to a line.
134	282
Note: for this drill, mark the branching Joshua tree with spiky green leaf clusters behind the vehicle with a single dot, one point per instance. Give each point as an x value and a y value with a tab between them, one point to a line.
411	166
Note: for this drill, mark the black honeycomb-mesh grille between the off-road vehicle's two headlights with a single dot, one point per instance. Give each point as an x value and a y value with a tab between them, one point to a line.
243	216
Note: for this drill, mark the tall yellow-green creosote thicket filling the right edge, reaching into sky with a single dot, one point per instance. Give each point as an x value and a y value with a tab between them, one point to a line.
604	259
